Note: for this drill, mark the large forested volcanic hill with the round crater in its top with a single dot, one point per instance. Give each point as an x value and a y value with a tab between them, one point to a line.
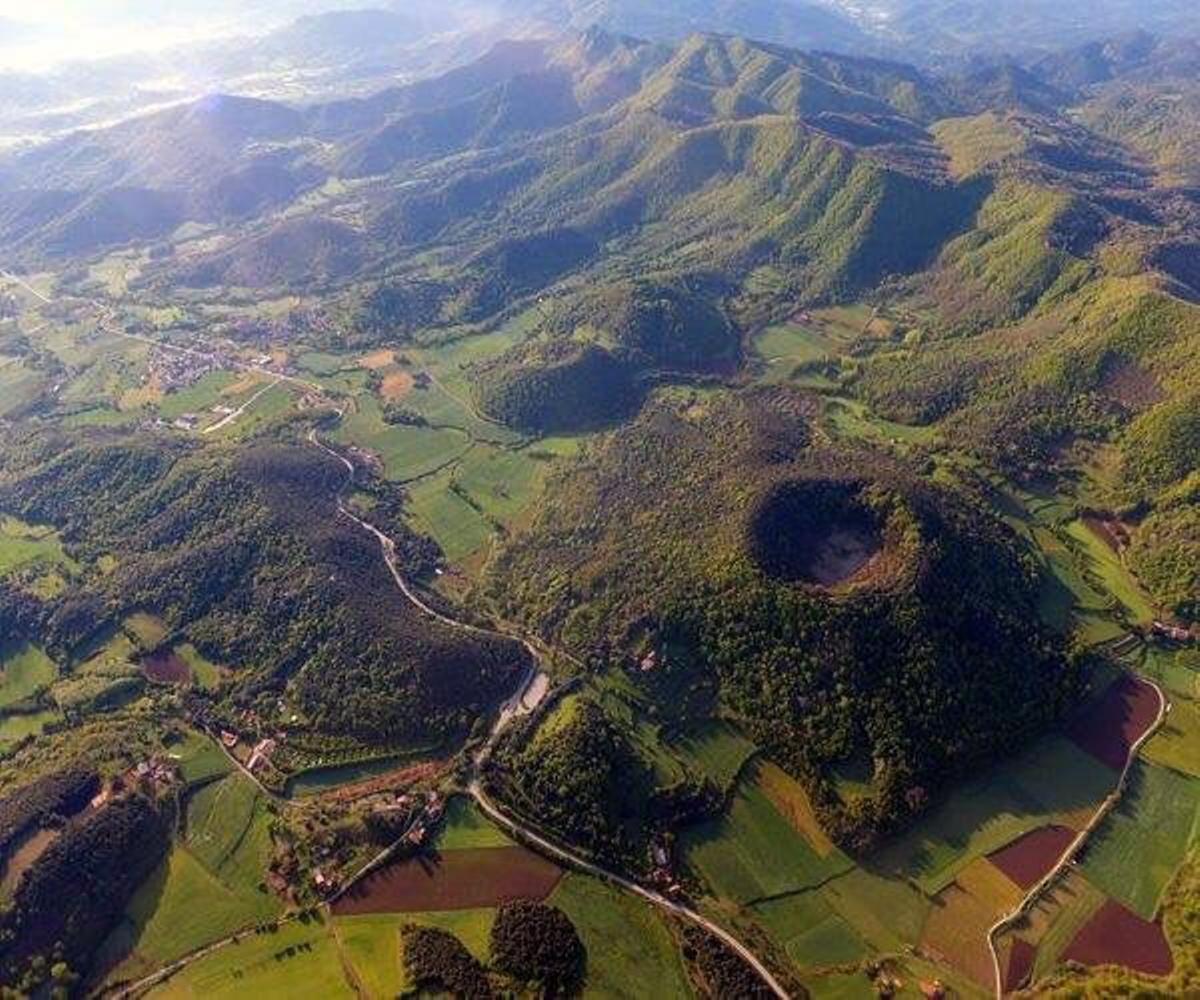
693	531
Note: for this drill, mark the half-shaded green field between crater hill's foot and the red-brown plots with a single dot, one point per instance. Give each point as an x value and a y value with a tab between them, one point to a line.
1049	783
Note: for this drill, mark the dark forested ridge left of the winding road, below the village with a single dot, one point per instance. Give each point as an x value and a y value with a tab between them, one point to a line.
242	554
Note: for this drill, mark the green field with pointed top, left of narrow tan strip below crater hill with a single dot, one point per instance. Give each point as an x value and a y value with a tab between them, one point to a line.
754	853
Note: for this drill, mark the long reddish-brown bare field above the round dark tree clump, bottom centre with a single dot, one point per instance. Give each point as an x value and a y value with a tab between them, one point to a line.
453	881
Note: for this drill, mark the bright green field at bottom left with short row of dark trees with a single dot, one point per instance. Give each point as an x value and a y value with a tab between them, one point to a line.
299	961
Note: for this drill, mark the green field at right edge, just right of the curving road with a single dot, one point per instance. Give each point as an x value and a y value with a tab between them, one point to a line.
1138	848
